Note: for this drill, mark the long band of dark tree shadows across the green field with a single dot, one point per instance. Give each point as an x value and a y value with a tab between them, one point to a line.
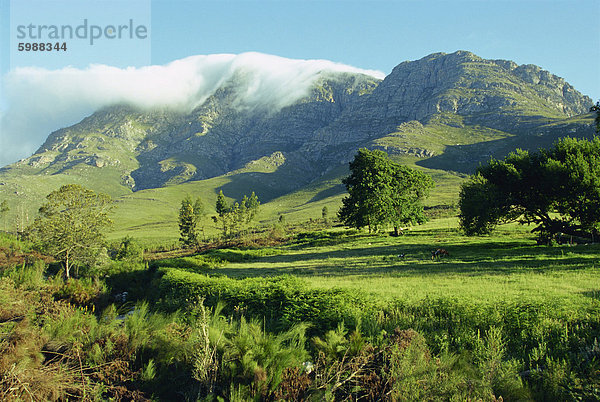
485	258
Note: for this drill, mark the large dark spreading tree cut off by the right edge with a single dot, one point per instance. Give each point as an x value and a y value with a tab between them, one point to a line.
557	189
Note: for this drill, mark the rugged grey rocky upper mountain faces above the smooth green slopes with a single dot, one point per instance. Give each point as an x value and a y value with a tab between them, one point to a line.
342	112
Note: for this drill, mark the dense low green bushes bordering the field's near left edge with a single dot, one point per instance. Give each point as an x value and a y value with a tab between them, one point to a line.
282	301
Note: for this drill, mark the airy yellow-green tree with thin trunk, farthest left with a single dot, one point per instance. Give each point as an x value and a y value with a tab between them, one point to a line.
71	223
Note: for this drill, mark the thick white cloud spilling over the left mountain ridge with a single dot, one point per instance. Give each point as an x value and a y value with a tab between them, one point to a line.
40	101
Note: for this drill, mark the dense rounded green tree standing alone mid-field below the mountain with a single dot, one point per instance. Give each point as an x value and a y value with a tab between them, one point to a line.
382	192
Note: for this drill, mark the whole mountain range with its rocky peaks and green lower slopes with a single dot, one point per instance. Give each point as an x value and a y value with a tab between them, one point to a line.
444	112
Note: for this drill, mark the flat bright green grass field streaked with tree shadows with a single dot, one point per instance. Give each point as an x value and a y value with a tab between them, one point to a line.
483	270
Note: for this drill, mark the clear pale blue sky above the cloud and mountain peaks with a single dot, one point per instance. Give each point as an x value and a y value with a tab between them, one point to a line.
562	37
